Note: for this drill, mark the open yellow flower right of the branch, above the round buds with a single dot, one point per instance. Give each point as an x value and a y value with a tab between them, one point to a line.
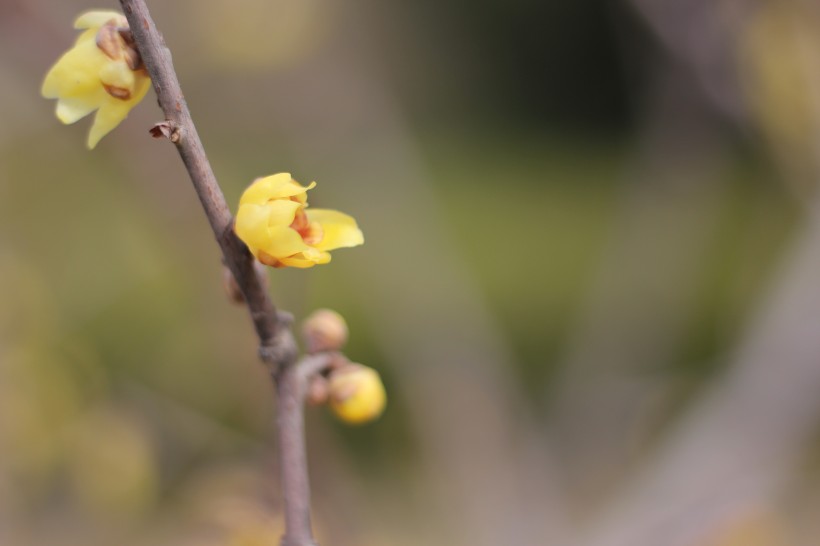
279	229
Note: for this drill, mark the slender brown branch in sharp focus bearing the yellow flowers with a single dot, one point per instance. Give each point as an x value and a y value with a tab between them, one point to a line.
277	347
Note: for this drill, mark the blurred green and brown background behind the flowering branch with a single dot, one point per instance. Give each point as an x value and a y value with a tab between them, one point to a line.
591	279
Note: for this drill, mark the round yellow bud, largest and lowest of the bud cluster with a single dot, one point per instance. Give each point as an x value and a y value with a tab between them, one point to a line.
357	394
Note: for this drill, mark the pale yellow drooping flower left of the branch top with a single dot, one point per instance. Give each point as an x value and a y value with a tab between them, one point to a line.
102	72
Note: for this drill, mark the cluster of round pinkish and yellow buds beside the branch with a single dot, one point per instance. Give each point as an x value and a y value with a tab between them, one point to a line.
354	392
